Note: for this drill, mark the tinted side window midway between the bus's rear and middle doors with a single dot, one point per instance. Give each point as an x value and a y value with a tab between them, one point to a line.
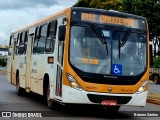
21	48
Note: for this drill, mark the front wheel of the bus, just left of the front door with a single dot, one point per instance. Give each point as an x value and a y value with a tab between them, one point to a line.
51	104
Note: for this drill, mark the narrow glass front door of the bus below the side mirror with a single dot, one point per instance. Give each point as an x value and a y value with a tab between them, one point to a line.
59	65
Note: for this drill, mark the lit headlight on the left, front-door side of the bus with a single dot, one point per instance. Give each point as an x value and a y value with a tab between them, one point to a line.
73	82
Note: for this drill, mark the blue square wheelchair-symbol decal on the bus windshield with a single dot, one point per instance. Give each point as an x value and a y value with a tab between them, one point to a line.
116	69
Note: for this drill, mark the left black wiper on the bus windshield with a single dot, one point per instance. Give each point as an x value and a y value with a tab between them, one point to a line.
100	36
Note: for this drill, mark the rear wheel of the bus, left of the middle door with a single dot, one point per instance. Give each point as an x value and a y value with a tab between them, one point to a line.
20	91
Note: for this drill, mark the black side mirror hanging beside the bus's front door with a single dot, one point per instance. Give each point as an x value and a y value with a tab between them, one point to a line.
61	33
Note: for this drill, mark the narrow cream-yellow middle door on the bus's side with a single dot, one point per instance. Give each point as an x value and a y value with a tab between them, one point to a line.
28	60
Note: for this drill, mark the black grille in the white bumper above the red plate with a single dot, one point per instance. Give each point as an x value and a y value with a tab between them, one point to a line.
99	98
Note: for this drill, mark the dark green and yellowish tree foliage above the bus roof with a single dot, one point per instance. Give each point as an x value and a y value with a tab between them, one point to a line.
146	8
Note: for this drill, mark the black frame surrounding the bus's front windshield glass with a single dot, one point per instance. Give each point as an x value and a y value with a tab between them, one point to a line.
104	76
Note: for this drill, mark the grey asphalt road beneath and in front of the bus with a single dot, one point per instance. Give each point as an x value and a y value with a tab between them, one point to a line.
9	101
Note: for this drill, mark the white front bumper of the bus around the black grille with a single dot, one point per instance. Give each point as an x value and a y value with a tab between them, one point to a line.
71	95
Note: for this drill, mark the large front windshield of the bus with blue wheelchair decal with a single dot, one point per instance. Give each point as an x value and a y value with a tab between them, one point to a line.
89	54
